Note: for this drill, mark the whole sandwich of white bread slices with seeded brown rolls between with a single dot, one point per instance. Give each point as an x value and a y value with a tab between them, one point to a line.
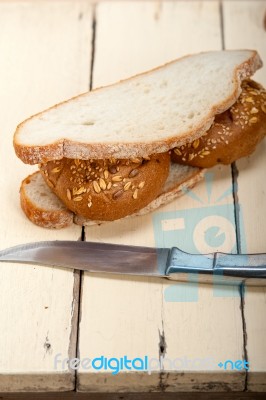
124	150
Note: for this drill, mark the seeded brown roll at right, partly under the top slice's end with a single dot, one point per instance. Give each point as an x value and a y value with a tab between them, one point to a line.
234	133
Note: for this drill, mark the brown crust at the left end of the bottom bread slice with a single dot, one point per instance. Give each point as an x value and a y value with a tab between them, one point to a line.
52	219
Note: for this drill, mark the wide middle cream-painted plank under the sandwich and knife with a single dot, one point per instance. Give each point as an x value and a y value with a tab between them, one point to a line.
136	318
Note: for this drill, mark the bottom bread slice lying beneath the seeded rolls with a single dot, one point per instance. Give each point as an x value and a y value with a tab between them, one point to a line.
44	208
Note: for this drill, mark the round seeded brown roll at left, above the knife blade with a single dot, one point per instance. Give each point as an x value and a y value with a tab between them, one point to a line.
107	189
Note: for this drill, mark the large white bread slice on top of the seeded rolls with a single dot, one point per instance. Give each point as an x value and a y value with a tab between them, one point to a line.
149	113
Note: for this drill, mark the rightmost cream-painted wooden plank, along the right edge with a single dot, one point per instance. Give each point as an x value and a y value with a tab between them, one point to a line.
244	24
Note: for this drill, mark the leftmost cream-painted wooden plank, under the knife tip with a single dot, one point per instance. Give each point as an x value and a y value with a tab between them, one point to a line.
45	58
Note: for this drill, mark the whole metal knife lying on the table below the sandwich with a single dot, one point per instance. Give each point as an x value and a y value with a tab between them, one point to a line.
171	263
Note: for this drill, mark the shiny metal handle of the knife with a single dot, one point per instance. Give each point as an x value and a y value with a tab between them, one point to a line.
219	268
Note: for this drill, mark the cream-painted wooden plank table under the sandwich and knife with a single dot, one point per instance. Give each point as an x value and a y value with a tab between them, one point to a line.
50	51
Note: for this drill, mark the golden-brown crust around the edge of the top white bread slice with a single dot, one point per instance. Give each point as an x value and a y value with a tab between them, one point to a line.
75	149
